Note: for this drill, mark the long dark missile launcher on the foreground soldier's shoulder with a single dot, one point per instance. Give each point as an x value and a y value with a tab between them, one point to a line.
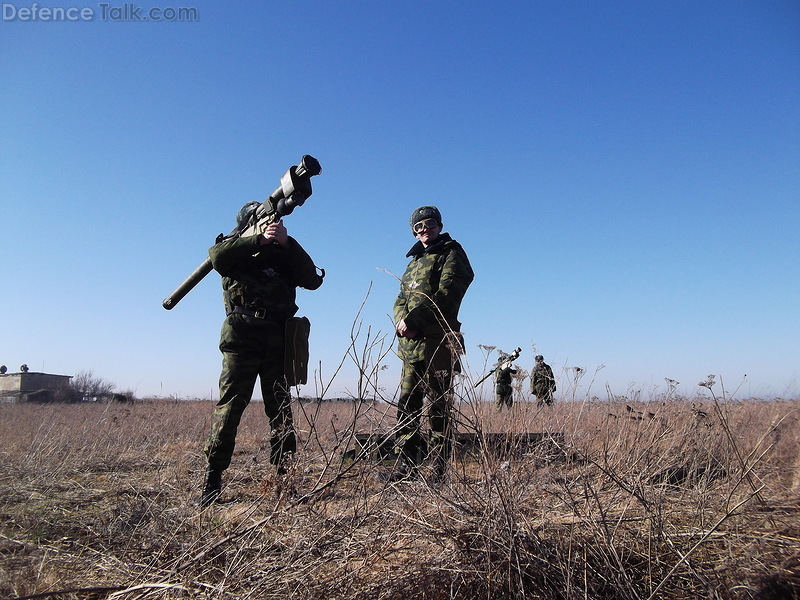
294	190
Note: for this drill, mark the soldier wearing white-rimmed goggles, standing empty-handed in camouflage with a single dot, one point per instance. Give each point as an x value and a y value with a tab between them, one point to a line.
426	323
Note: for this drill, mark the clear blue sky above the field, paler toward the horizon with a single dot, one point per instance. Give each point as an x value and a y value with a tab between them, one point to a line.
623	175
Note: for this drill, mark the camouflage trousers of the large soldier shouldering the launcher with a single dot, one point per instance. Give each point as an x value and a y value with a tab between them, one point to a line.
260	355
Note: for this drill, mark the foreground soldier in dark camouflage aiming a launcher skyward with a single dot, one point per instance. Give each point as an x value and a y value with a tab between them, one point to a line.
260	274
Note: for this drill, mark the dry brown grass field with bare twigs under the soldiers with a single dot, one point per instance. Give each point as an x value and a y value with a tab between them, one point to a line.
697	498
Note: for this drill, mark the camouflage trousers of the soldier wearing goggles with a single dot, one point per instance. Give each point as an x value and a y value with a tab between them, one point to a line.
421	379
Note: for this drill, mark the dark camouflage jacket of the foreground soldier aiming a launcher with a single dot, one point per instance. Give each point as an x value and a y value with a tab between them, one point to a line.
266	277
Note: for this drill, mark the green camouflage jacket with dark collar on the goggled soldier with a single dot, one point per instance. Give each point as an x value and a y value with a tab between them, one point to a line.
431	292
